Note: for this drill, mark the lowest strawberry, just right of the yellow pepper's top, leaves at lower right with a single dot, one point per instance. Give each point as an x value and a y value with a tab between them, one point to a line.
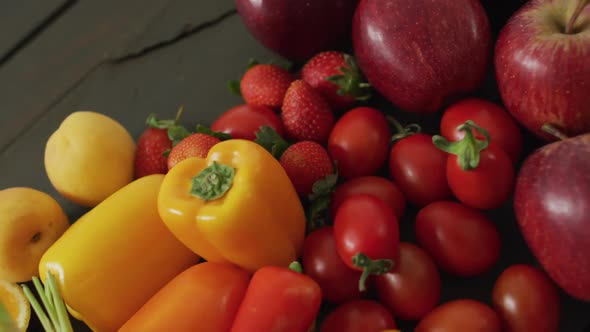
306	163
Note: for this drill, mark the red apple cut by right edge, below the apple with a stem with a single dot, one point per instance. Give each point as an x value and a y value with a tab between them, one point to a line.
552	206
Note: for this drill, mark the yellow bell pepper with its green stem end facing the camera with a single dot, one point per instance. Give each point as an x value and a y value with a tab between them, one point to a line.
236	205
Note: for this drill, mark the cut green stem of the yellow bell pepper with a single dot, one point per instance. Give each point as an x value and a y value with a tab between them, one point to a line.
212	182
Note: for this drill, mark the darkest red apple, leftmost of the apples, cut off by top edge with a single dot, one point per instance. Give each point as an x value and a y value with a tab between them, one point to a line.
297	29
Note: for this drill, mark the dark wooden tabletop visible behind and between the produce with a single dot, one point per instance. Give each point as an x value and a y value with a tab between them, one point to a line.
127	59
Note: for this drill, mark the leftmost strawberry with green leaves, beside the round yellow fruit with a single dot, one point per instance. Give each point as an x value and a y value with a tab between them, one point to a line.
154	144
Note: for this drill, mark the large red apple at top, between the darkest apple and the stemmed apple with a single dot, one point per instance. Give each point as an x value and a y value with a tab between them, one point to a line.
422	54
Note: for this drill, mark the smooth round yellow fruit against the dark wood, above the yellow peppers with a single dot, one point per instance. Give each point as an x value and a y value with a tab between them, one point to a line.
89	157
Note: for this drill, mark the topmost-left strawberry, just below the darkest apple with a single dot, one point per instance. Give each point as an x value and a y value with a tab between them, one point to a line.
264	85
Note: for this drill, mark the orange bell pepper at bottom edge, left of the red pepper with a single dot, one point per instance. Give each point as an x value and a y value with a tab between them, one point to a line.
205	297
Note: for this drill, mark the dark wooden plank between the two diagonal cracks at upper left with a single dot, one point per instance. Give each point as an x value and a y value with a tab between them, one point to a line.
88	36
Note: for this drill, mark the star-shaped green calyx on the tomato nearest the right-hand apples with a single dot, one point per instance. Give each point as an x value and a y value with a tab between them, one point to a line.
468	149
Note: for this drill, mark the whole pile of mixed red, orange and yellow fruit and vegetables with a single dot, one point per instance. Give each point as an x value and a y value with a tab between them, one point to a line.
284	214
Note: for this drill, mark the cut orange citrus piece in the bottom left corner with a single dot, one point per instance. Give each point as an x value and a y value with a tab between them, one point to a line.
16	304
